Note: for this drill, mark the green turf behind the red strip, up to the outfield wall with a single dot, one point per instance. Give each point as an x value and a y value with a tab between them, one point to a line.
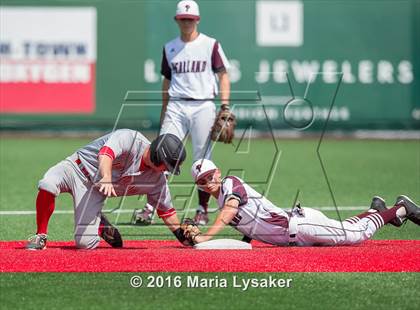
356	170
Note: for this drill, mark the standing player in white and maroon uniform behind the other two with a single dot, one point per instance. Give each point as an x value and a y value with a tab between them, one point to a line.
192	65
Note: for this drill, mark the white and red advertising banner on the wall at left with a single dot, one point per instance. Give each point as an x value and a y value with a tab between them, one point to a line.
47	60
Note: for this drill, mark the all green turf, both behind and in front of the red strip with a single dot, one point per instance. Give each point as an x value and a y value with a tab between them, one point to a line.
356	170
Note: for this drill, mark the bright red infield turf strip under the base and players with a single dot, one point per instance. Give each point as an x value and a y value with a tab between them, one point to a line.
153	255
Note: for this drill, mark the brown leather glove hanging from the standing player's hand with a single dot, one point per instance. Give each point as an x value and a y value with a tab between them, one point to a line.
223	129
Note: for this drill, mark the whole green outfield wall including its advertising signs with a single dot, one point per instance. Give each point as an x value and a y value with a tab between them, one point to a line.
366	54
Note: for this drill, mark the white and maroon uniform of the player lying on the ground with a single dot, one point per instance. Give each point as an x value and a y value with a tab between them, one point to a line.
259	219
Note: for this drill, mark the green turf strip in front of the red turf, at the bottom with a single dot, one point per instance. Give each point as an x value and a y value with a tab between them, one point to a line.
307	291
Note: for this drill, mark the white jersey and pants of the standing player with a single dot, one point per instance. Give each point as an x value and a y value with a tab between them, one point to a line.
191	68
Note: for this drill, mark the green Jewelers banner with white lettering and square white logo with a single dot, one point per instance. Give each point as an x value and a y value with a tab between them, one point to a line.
311	50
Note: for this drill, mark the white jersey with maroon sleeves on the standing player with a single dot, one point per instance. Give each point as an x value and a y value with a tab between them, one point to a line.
191	67
